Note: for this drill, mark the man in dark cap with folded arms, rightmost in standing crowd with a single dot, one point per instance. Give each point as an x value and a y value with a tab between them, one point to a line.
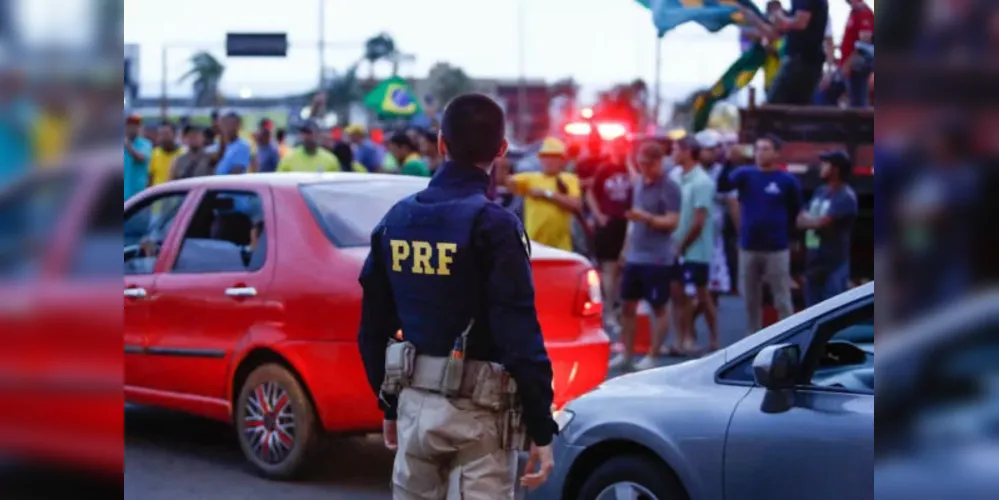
828	221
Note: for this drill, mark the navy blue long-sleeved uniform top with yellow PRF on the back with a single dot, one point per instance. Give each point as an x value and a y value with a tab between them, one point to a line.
484	275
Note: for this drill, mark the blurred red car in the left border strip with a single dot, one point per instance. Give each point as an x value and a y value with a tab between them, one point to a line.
61	358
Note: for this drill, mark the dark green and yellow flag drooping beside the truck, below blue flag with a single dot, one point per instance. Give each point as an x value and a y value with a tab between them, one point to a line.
738	75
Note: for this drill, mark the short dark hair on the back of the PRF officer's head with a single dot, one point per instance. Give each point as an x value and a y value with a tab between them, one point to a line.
473	129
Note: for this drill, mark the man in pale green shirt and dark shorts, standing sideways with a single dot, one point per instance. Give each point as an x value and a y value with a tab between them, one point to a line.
695	243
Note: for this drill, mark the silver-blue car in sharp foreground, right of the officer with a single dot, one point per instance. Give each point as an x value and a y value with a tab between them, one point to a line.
786	413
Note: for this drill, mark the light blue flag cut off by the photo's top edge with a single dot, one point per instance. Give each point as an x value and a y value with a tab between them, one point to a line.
713	15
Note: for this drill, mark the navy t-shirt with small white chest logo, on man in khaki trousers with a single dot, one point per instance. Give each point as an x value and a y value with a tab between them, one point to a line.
769	204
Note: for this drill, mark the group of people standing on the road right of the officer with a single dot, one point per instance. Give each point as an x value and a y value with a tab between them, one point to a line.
684	221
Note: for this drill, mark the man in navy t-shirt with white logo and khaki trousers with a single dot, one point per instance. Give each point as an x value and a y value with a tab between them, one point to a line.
768	203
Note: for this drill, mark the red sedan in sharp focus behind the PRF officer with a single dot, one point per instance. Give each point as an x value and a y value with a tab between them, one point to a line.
241	303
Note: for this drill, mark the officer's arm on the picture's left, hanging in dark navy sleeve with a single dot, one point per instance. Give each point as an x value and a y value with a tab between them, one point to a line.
379	320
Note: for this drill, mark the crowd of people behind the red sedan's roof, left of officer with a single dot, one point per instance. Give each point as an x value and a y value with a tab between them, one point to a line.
165	151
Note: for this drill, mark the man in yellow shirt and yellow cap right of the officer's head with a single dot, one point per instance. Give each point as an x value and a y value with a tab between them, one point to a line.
551	197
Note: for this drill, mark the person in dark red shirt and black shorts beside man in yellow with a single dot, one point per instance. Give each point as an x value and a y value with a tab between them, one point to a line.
609	199
